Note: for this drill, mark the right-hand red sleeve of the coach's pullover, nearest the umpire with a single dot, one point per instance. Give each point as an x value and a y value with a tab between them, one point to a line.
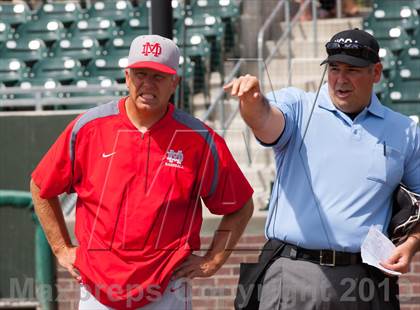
227	188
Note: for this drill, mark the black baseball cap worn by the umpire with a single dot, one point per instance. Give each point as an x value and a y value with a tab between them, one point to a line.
361	38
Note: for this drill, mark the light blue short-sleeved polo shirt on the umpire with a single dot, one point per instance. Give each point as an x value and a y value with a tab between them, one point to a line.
332	187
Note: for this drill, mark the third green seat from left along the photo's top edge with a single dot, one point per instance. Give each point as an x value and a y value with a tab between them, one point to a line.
117	11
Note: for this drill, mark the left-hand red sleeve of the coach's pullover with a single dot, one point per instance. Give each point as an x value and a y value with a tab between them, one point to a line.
54	174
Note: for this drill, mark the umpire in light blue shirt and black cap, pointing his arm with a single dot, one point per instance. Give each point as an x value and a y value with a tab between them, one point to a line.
339	159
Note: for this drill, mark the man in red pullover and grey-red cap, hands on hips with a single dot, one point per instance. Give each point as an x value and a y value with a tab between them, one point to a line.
140	168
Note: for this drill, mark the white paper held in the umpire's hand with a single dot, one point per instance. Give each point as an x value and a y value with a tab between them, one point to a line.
377	248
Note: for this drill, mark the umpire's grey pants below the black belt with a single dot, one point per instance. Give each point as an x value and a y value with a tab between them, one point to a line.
301	285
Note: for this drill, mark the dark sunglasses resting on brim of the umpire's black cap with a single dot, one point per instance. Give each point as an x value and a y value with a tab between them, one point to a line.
352	49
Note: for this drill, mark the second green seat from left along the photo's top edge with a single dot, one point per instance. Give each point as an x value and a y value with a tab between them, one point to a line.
67	12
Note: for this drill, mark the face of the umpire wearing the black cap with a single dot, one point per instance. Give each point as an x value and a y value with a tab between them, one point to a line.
350	87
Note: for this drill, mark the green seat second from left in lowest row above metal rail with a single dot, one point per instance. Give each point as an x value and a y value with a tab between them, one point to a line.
63	69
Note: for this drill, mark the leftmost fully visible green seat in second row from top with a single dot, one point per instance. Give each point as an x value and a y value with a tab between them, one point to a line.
46	30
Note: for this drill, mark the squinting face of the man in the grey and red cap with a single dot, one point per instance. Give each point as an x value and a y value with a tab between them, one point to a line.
149	89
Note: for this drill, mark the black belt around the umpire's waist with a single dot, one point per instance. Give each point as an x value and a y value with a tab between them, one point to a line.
321	257
